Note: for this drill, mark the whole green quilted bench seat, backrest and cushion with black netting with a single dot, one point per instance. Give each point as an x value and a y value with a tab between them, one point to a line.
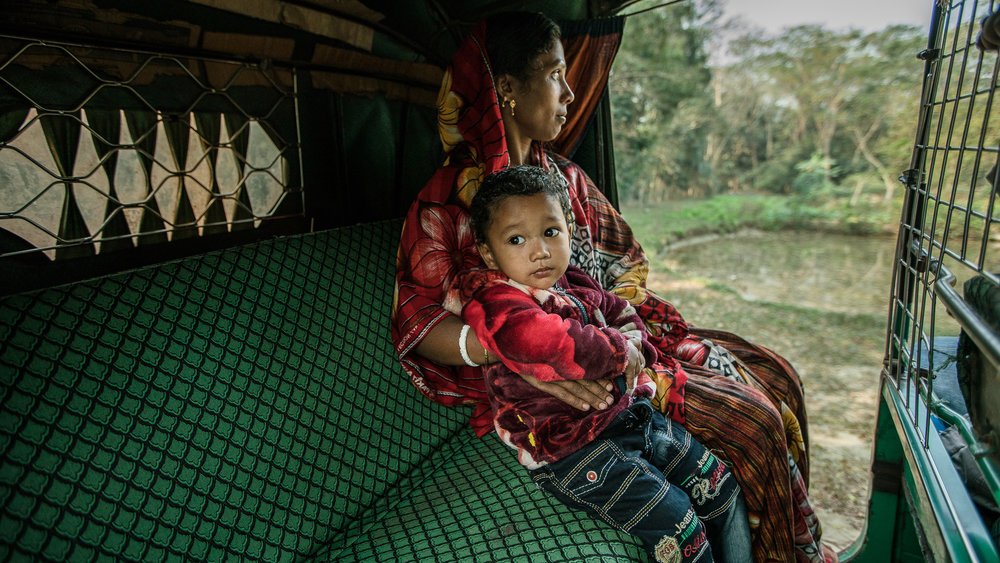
247	404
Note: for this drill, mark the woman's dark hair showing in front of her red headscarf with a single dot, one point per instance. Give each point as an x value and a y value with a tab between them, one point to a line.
515	39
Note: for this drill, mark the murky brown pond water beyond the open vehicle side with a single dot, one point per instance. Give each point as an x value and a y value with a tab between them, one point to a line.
835	273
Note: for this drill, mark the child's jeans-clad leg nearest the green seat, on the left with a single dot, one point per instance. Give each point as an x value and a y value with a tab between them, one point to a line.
611	480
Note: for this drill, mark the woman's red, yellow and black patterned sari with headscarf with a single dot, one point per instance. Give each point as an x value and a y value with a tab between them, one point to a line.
741	400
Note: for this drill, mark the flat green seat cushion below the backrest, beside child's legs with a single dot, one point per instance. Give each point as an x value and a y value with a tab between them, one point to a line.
481	505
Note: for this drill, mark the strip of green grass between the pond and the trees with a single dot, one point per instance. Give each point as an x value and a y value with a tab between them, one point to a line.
661	224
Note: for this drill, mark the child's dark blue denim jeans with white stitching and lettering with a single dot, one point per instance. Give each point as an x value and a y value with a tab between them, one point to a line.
647	476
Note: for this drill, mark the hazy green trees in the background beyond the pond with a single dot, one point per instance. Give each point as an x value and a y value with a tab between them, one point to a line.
764	119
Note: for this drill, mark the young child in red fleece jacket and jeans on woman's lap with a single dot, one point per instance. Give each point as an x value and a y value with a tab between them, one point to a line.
626	464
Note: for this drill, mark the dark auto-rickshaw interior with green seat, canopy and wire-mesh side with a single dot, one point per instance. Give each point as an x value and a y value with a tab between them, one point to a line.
200	208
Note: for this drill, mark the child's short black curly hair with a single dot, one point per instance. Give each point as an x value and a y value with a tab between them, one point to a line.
522	180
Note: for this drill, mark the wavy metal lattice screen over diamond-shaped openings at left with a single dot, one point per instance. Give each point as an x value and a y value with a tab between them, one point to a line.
106	149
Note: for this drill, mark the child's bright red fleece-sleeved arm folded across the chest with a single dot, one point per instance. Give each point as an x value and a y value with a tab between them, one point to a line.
512	326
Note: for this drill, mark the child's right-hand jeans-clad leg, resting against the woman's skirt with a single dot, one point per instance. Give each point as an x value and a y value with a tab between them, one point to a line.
711	486
